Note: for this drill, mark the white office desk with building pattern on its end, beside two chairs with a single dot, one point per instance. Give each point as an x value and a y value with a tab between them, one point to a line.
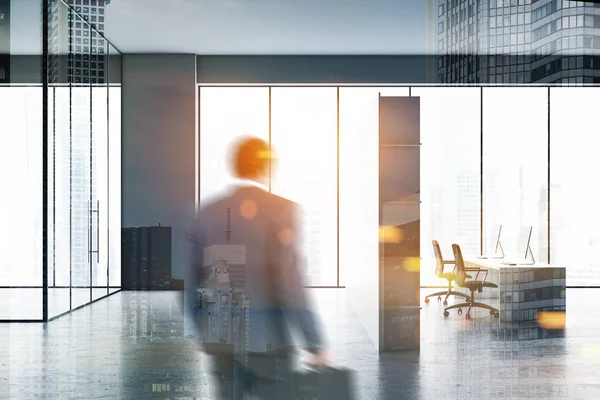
523	291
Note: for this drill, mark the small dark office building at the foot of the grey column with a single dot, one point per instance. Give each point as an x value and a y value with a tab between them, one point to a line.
146	258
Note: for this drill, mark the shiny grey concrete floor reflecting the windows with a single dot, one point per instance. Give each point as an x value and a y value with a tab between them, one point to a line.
130	346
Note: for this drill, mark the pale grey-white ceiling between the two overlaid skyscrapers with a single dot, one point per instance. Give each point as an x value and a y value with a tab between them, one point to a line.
267	26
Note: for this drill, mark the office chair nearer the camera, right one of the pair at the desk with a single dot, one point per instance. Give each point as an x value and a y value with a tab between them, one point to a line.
473	285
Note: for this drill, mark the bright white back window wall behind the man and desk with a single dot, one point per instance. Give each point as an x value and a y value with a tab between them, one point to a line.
495	136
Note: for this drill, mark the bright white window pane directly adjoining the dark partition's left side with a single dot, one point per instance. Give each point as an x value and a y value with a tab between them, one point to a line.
359	179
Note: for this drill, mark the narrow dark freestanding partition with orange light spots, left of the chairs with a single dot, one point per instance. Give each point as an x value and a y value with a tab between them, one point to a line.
399	221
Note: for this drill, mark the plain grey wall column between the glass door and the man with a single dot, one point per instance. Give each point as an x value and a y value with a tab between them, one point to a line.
158	153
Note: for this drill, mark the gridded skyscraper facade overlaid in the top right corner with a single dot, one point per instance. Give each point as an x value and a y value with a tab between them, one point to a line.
518	41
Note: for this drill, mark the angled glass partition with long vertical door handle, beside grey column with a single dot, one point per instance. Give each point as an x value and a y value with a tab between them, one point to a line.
84	128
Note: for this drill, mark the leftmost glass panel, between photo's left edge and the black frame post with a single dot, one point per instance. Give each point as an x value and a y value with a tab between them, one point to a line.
21	165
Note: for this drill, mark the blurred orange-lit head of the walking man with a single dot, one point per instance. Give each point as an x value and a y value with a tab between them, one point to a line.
251	158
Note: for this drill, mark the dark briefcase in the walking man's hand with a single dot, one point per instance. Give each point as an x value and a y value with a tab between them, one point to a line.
325	384
